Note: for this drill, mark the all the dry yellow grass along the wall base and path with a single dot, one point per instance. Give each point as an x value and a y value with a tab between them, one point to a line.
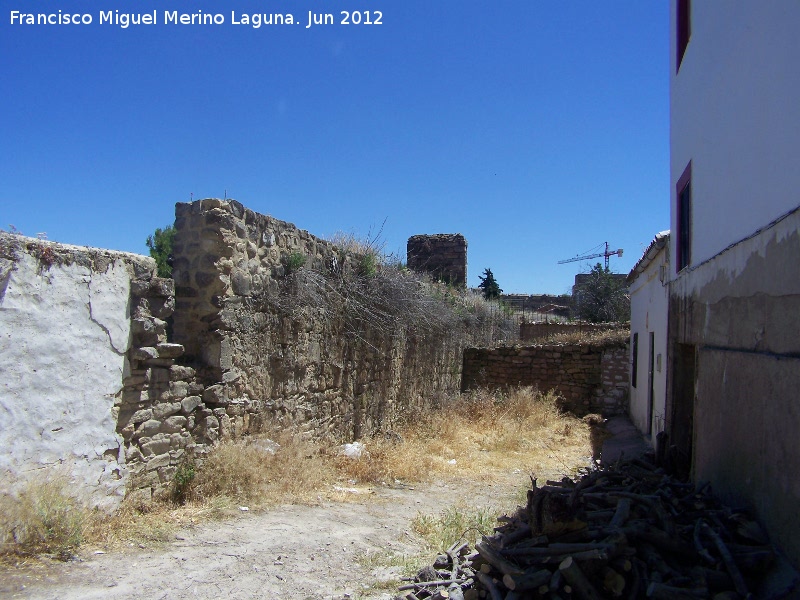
482	437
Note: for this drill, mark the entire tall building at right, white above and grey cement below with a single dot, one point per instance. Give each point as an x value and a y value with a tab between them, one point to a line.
733	409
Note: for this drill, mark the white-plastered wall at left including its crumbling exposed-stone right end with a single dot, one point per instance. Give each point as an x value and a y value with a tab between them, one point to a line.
90	386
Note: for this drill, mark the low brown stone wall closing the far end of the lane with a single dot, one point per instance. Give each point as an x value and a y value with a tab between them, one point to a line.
590	378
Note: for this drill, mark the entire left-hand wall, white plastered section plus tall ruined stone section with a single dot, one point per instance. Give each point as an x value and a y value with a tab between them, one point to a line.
264	329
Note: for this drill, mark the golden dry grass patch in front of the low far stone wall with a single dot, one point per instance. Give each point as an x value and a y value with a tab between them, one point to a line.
479	435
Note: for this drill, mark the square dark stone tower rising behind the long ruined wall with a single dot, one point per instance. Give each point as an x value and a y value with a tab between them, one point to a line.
442	255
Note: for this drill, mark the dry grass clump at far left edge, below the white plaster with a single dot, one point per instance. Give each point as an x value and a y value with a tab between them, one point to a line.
42	517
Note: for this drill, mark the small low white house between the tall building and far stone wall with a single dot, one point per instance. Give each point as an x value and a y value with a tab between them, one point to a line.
649	293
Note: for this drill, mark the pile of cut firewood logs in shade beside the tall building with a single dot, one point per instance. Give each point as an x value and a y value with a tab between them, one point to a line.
624	531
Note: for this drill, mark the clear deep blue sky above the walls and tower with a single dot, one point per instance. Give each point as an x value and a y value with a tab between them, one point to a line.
538	129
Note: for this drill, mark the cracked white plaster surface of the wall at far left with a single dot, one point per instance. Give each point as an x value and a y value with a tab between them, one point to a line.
64	332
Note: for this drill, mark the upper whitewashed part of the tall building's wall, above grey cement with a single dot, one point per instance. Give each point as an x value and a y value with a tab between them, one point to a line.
734	115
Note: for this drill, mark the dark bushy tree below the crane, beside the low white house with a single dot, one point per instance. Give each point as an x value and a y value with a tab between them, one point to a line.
602	297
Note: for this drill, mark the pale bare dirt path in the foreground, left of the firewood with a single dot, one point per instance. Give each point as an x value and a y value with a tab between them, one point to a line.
289	552
